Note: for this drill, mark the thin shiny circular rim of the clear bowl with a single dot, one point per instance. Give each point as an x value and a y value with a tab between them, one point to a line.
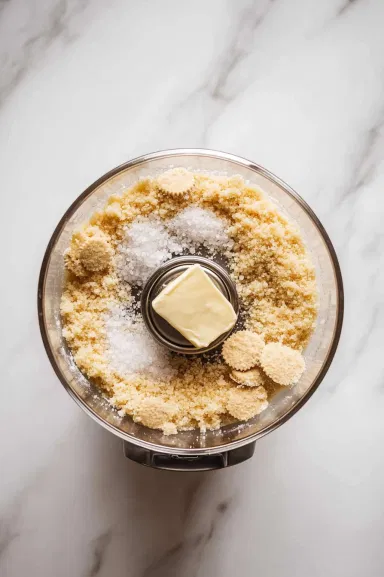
168	154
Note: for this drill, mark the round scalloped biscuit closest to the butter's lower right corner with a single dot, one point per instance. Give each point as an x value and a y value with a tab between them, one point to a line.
242	350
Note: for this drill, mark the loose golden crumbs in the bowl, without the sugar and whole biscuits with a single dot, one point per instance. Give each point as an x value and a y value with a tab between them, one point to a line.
269	263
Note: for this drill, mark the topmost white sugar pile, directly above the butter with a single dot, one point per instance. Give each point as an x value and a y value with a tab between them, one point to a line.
196	226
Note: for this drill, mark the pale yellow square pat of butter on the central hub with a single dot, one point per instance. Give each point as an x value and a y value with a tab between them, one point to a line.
195	307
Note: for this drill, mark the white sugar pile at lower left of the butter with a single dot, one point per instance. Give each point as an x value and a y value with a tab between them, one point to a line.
131	350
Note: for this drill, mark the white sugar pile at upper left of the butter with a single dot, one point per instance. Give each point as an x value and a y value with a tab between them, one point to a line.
147	245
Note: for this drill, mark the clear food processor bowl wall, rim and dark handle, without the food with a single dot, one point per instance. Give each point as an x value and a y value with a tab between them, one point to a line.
233	443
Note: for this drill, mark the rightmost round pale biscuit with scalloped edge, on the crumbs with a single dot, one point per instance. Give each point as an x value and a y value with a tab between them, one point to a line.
282	364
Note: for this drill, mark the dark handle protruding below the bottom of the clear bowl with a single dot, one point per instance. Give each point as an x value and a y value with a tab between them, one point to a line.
189	462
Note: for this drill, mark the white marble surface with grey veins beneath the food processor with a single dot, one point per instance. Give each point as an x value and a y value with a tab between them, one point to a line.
295	85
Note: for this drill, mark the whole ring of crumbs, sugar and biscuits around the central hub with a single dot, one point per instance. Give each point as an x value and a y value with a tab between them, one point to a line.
180	212
